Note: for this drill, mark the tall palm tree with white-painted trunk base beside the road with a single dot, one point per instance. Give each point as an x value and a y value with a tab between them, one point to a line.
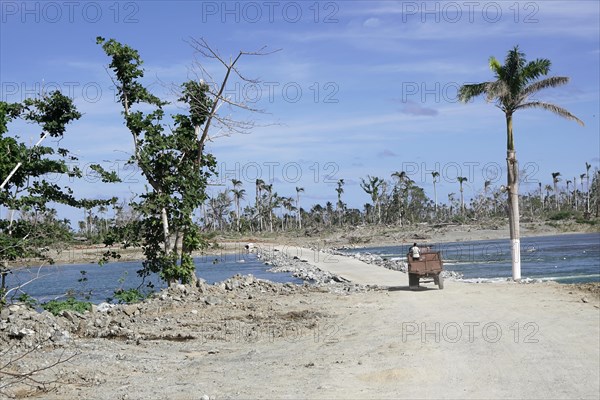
515	82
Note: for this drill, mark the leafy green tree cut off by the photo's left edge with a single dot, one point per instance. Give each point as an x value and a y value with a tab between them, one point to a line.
27	190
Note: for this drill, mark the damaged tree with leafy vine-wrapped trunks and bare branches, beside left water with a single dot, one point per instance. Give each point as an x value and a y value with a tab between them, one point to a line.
173	158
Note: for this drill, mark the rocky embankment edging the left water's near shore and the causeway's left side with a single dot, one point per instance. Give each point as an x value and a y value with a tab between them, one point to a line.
22	326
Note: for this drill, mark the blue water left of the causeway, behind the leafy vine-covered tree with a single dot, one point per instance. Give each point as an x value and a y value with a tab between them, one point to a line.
56	281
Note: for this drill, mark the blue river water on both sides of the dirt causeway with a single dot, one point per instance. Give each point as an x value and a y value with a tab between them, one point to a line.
565	259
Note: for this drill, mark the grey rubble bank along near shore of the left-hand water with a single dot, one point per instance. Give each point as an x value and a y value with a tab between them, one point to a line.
23	326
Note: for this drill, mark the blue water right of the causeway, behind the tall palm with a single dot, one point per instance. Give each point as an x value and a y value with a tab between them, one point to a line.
564	258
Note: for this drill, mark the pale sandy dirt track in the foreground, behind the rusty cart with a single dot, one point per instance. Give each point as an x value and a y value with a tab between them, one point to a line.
476	341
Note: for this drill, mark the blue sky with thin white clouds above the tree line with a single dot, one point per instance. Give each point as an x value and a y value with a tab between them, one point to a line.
356	88
